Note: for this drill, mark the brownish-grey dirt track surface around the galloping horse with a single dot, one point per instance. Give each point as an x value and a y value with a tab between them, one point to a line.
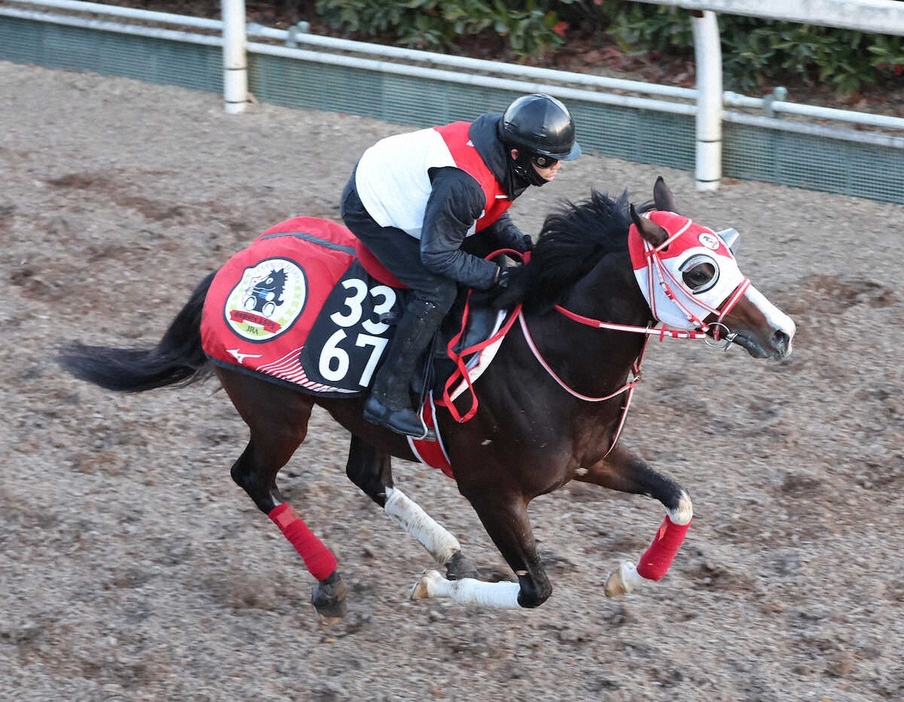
132	568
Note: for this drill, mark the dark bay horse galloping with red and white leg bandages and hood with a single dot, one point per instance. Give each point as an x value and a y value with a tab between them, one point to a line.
604	277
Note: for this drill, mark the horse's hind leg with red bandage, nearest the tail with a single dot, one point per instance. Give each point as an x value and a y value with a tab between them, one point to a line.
278	420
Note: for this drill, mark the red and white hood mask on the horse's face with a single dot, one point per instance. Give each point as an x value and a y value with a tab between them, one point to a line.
690	276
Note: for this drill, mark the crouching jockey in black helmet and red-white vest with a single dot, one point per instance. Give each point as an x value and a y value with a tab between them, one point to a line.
413	200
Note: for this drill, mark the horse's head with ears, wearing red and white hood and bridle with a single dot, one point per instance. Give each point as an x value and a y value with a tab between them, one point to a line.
691	281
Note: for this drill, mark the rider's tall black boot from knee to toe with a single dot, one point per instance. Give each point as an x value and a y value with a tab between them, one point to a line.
389	404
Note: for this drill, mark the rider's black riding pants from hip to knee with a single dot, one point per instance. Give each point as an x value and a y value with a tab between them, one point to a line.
397	250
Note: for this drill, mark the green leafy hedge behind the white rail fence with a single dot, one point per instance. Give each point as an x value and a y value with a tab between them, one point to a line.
756	53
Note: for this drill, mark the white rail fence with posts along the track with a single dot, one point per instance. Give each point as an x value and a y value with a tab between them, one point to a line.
708	104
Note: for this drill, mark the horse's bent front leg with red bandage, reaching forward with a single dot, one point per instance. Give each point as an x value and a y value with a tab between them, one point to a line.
623	471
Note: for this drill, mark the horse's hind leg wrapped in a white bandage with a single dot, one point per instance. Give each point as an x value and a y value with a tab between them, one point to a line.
370	470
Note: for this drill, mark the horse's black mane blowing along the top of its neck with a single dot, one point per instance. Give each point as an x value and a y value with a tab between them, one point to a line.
573	240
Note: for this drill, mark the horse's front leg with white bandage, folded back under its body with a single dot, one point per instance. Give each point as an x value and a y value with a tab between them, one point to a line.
504	516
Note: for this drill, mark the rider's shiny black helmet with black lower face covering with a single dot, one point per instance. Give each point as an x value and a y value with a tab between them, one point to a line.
538	125
